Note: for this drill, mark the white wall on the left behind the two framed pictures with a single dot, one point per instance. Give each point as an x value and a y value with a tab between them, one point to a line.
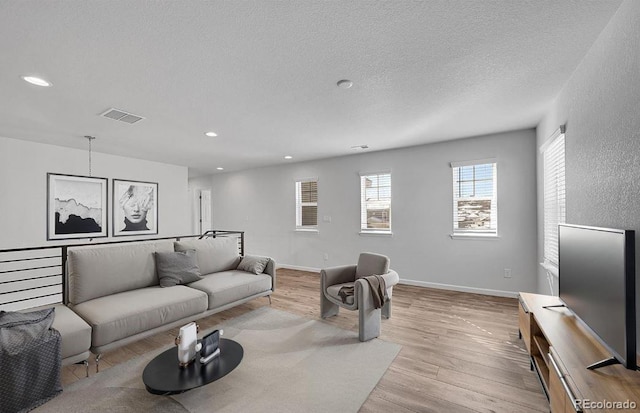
23	185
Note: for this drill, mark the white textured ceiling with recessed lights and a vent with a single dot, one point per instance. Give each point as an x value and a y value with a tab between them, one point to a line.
262	74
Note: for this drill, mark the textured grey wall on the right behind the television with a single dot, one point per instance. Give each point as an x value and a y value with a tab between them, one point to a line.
600	105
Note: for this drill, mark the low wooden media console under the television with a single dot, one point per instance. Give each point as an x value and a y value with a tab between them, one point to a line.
561	348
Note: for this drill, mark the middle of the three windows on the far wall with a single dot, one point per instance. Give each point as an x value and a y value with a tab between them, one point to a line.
375	205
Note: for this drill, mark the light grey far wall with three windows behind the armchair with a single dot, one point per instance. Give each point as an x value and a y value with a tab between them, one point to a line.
261	202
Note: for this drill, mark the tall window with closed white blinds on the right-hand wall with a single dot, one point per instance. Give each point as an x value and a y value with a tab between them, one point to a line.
553	196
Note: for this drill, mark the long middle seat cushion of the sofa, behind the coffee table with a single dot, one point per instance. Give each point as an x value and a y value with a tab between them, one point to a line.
121	315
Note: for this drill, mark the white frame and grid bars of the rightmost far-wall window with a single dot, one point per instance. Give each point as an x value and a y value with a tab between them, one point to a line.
492	232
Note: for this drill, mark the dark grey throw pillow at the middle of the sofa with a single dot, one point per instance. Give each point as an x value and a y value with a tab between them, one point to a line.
175	268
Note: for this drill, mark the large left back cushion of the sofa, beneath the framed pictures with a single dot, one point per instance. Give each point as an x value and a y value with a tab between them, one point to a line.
100	270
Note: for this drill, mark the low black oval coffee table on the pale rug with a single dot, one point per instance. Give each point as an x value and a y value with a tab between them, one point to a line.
164	376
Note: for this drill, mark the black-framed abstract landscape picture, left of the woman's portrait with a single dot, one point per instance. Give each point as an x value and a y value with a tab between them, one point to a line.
76	207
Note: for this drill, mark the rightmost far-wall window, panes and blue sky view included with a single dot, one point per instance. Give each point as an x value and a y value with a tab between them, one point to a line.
475	207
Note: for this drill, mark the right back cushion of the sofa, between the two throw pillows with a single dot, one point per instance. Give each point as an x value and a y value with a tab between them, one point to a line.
214	254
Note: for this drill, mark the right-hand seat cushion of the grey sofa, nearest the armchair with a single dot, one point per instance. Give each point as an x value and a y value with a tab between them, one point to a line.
229	286
